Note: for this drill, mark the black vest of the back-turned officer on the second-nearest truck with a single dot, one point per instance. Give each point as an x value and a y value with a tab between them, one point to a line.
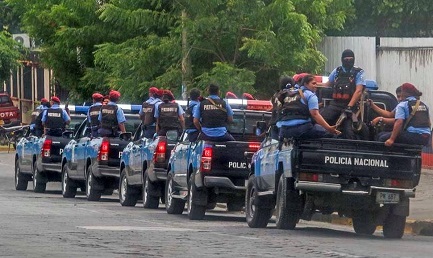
212	115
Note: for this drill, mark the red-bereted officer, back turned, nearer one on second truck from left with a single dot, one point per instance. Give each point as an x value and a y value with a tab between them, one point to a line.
111	117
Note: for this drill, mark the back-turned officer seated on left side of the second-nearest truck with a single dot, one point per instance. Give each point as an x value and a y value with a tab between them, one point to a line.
212	117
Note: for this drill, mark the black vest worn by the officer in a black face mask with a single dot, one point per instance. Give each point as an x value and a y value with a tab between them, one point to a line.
345	84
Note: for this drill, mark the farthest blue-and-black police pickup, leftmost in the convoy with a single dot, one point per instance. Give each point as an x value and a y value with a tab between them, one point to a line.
38	159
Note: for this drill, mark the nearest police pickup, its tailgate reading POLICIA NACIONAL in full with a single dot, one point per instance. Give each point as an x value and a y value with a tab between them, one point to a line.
363	180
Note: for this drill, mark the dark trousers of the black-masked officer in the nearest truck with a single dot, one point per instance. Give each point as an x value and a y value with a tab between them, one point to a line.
332	112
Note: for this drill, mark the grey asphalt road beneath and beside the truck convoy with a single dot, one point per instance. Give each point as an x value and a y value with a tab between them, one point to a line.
46	225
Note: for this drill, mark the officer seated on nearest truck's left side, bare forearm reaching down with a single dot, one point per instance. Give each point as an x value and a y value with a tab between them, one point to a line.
298	110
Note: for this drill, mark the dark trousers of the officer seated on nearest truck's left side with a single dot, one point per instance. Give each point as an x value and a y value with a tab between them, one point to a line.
303	131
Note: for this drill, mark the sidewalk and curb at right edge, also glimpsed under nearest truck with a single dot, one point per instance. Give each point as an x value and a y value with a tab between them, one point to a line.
420	220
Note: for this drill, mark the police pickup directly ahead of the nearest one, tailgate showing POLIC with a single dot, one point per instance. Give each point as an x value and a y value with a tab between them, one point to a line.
204	173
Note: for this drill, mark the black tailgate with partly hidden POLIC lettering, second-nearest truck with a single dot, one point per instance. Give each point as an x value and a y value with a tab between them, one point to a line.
228	159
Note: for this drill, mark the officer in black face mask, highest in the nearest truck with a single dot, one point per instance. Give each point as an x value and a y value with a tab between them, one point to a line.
348	83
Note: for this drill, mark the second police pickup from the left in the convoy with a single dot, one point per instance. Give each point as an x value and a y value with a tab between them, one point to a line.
93	163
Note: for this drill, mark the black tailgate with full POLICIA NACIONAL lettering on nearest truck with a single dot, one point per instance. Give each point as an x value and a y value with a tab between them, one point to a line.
359	159
